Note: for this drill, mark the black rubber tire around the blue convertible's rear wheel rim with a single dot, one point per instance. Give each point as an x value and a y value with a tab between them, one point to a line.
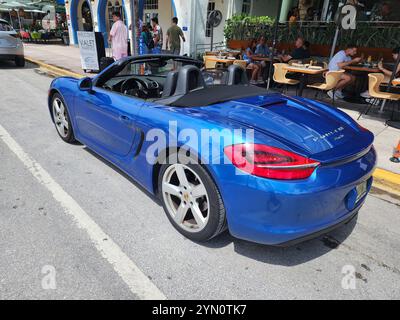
217	217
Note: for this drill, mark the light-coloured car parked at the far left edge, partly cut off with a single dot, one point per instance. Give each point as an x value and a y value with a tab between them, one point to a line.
11	47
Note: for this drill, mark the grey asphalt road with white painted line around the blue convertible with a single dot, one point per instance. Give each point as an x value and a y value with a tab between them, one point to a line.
48	253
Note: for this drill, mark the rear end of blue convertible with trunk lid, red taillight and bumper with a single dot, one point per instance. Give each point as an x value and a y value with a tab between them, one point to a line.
308	171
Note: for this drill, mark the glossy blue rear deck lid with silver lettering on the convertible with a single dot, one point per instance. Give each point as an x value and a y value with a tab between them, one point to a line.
310	128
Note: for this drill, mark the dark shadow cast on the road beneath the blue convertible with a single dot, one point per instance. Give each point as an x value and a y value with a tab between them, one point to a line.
291	256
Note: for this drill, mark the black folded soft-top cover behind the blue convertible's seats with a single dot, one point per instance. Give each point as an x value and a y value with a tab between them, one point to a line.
213	95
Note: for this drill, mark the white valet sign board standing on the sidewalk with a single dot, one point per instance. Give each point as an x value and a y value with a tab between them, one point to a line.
88	50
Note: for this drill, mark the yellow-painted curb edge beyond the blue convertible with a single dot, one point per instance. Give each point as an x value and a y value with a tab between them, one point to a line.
384	180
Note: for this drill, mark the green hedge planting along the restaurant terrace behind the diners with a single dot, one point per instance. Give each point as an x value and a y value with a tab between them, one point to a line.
242	27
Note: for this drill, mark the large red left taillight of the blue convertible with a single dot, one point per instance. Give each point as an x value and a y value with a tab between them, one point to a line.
270	162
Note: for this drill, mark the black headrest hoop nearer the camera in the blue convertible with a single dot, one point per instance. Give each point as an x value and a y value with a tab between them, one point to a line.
190	78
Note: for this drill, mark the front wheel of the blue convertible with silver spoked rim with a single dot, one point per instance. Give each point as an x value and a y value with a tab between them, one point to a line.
61	119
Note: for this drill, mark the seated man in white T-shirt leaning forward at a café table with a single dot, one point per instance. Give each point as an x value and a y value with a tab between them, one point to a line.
340	60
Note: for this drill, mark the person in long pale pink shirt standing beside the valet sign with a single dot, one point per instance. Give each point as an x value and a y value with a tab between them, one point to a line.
118	37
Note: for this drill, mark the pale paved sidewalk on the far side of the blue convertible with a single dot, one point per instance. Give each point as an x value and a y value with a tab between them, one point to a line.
68	58
